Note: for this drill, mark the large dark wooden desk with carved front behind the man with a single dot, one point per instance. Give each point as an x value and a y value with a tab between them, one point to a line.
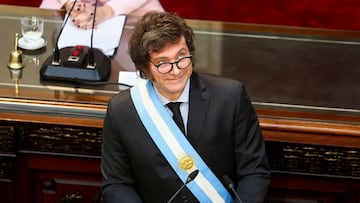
304	84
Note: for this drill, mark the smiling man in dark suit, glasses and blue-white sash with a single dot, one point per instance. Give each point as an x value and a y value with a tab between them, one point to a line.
148	158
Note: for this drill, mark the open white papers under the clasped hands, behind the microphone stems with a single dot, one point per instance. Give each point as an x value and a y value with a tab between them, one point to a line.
106	36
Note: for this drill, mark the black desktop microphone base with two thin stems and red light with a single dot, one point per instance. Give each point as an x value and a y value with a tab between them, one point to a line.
78	63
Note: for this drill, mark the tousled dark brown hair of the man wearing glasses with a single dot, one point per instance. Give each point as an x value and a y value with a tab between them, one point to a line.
153	32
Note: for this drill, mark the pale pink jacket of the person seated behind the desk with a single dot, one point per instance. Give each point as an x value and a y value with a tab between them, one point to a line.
133	7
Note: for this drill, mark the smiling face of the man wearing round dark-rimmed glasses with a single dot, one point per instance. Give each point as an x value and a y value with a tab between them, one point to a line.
171	84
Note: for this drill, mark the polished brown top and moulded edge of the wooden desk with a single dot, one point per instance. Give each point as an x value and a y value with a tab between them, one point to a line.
300	79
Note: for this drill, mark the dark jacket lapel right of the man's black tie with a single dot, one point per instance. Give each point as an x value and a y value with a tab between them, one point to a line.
198	106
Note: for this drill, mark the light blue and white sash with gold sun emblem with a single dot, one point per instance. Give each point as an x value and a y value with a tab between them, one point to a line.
180	154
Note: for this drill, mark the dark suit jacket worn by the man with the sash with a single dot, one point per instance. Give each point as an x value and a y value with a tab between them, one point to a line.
222	127
